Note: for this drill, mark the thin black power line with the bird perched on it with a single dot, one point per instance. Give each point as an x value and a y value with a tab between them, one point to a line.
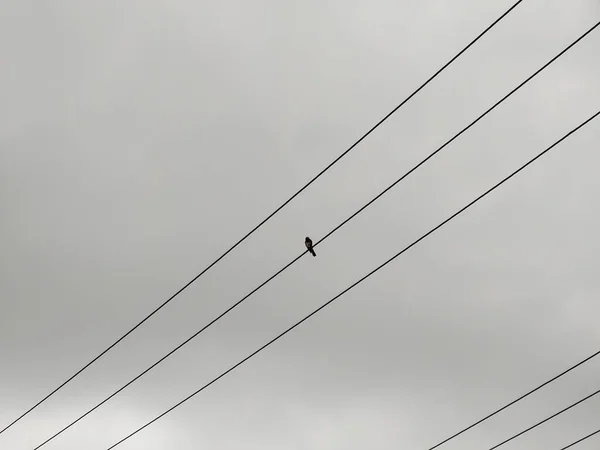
264	283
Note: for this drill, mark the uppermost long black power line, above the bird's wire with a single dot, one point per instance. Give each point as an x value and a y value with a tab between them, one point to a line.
268	217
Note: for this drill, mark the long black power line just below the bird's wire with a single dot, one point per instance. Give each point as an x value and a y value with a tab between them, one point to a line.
359	281
